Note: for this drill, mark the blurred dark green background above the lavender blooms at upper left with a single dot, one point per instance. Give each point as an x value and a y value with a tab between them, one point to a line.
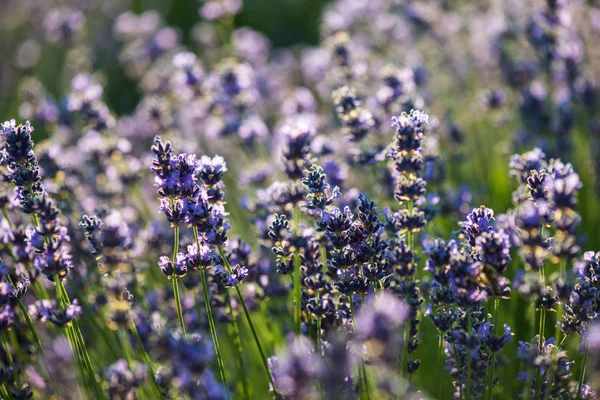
25	48
